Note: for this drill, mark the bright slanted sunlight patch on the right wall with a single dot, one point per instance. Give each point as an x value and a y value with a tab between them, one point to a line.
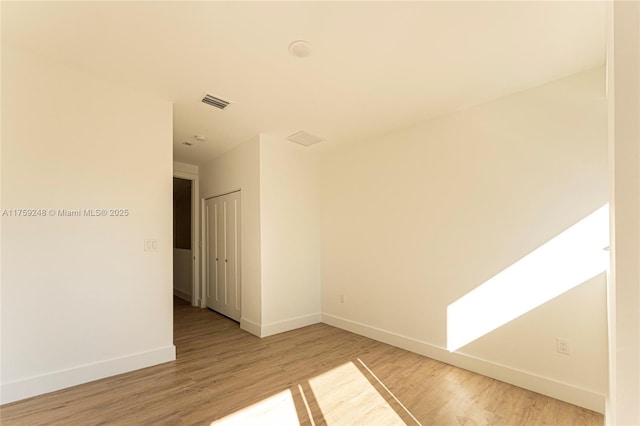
571	258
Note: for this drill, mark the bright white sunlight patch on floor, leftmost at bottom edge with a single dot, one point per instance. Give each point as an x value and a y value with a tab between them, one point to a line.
277	410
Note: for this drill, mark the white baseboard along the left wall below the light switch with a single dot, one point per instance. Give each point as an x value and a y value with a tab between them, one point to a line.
57	380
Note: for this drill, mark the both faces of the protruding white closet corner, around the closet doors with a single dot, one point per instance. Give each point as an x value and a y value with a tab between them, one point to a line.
280	231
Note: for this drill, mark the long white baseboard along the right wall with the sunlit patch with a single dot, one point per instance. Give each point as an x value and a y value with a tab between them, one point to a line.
530	381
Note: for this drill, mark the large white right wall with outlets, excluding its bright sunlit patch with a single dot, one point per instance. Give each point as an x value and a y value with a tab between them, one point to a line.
416	219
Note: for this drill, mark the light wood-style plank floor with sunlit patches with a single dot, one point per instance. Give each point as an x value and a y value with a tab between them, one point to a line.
316	375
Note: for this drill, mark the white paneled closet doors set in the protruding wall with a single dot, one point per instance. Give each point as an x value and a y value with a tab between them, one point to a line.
222	222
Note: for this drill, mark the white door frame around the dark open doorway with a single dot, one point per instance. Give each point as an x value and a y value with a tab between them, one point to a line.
189	172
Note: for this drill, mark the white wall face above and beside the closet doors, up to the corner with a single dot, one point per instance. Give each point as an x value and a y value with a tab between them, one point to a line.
239	169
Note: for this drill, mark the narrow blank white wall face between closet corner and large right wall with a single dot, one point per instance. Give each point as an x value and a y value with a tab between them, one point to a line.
290	235
